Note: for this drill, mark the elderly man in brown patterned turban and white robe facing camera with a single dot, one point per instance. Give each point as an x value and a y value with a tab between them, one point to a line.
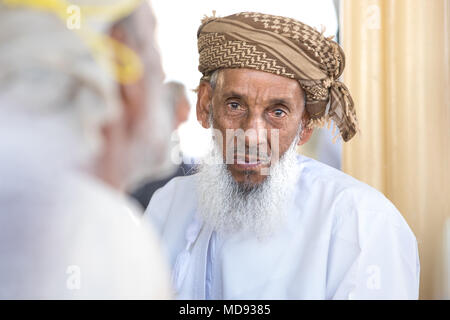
258	228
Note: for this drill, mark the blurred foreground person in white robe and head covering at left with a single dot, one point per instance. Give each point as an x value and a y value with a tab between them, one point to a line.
71	142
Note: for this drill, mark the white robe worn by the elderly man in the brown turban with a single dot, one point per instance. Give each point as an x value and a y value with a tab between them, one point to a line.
342	240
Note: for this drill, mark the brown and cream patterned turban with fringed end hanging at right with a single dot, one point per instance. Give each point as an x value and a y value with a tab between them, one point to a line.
284	47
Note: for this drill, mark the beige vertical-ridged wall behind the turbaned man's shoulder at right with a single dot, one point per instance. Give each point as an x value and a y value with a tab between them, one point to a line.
399	74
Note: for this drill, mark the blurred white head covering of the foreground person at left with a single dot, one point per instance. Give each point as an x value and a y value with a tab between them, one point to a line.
45	68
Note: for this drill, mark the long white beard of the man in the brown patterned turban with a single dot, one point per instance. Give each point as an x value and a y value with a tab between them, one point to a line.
230	207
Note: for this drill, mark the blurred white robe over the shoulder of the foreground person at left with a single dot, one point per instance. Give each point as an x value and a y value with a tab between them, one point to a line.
81	228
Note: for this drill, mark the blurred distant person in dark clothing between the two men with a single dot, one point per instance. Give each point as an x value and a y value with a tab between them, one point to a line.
178	104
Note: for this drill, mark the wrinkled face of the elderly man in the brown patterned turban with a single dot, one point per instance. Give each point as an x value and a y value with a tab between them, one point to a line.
269	106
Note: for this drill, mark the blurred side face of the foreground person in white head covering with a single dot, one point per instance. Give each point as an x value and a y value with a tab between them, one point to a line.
146	122
